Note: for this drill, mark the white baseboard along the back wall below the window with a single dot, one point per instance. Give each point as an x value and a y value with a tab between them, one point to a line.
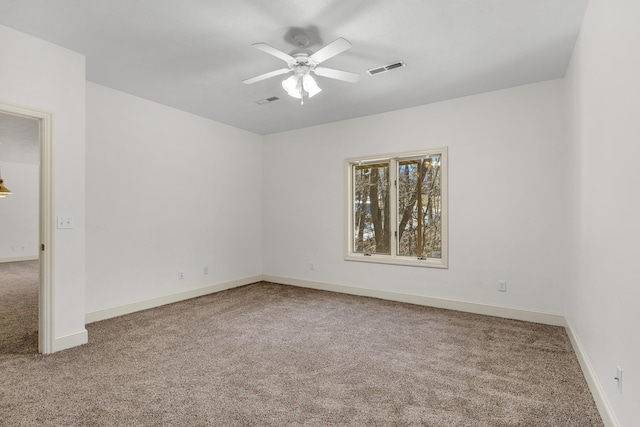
469	307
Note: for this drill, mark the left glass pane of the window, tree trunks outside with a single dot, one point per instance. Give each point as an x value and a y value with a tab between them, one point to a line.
371	209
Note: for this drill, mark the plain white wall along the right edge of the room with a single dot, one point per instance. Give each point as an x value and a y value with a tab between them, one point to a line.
602	295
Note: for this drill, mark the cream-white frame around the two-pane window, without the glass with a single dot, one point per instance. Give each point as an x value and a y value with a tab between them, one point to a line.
393	258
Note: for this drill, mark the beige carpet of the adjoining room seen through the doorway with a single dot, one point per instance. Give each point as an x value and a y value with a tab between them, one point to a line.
19	307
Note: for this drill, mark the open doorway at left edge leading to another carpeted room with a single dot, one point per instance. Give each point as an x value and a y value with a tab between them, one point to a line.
26	162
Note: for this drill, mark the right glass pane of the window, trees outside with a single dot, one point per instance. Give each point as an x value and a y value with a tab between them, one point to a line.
420	208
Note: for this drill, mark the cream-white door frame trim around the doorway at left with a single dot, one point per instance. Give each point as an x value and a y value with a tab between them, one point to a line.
46	324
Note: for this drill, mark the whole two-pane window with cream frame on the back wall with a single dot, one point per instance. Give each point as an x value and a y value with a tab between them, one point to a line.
397	208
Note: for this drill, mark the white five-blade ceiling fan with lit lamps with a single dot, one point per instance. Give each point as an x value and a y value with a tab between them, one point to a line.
301	64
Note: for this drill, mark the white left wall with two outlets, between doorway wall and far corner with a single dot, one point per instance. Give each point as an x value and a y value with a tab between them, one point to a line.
167	191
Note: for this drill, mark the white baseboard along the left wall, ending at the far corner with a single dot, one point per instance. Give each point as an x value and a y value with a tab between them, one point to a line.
120	310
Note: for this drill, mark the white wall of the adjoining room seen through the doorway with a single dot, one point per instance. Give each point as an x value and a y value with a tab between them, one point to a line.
19	237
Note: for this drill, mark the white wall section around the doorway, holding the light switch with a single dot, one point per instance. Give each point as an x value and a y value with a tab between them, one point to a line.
42	76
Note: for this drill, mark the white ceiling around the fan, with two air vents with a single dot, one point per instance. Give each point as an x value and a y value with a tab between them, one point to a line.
193	54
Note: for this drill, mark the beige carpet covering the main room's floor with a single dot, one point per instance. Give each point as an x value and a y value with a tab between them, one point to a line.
274	355
